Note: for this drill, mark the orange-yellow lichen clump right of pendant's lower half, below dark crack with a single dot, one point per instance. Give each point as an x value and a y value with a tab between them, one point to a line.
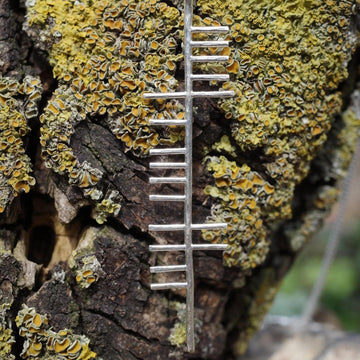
244	201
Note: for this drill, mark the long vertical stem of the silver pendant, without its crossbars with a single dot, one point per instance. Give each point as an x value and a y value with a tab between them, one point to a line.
190	336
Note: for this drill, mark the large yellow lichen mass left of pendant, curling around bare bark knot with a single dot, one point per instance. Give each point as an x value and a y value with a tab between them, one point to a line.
105	55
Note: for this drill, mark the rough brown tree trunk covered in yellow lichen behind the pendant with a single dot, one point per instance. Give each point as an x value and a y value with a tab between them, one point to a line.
74	175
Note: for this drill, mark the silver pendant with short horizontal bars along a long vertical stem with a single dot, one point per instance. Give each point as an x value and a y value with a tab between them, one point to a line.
187	227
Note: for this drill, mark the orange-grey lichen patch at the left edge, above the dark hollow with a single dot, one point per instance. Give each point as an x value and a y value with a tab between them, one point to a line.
18	105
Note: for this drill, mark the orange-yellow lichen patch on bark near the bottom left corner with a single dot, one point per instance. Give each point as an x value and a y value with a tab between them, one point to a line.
43	343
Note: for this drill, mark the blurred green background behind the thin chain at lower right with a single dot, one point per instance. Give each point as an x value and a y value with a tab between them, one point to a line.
340	300
